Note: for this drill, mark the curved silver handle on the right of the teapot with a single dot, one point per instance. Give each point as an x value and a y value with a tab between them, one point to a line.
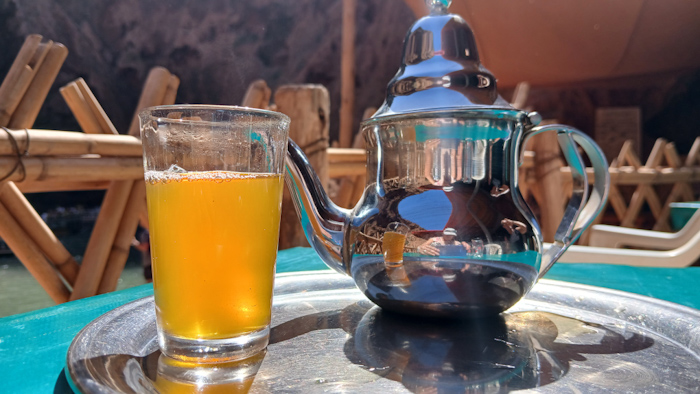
583	207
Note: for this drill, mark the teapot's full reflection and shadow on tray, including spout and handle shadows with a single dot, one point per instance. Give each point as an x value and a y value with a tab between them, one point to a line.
511	351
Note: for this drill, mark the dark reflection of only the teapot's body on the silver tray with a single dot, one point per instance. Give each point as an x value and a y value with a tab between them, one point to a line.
453	356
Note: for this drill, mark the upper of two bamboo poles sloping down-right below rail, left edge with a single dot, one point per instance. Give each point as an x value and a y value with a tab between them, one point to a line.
31	223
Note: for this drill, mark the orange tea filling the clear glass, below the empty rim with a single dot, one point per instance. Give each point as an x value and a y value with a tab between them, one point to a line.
213	245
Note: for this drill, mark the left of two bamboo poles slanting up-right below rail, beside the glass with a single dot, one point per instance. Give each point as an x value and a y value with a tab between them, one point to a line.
101	240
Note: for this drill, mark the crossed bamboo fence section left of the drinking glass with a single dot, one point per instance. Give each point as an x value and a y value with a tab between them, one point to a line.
55	157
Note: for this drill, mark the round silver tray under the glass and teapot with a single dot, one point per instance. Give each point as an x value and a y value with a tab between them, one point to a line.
326	337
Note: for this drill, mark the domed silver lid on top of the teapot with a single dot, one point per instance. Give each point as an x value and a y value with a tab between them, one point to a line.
440	69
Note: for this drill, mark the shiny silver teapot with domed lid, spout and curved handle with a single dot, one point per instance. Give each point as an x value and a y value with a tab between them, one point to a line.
442	228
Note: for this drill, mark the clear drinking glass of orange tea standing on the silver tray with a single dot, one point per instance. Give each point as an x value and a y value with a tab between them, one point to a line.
214	188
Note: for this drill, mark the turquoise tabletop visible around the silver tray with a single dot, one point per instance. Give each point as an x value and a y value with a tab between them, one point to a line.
33	345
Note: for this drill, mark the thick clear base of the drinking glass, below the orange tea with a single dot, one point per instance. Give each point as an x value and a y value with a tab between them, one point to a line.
214	350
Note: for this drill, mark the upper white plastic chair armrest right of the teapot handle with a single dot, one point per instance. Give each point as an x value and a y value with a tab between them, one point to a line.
618	237
